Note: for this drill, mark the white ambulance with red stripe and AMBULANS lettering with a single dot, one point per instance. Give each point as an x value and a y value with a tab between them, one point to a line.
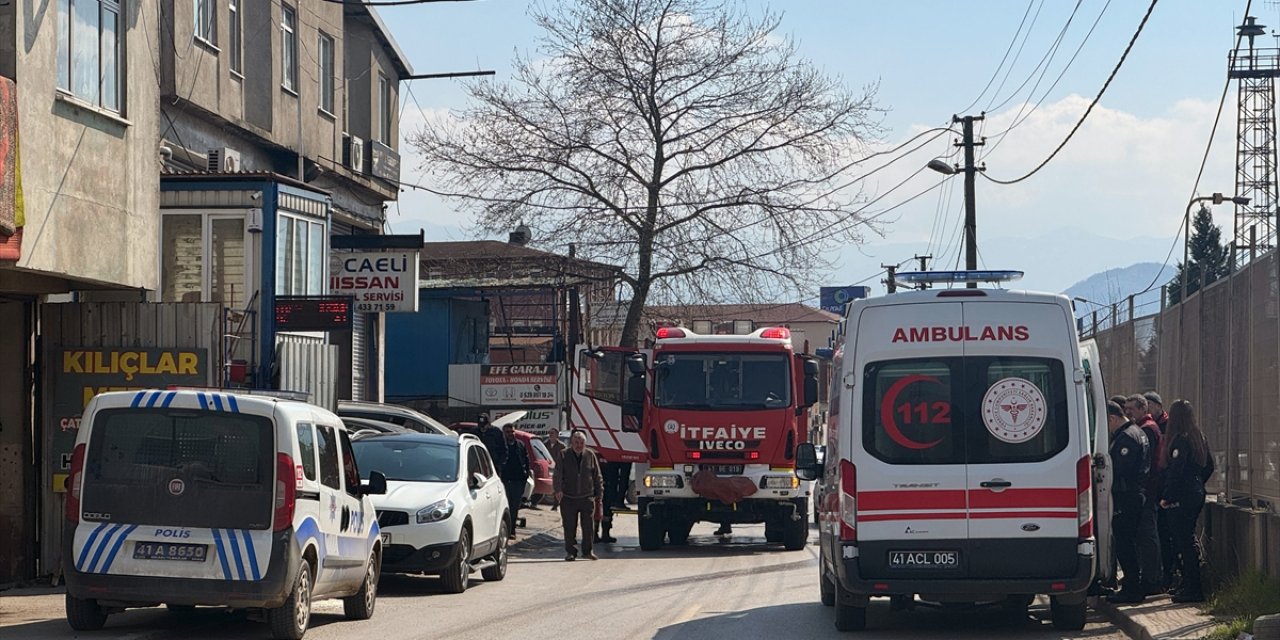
961	456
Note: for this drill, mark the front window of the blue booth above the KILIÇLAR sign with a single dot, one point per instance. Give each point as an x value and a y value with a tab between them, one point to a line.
204	259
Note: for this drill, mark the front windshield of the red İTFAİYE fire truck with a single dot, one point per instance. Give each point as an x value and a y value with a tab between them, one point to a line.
723	381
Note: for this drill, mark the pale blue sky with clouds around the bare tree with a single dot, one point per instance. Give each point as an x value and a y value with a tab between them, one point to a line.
1114	196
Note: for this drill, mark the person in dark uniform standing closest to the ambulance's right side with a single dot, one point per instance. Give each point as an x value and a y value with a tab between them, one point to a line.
1131	461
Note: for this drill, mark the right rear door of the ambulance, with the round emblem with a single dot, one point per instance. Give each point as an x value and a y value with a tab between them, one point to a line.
1022	440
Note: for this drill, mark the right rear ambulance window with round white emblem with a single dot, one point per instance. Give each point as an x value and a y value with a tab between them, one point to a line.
1022	409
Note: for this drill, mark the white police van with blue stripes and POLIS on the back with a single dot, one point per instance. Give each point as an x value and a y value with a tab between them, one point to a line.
205	499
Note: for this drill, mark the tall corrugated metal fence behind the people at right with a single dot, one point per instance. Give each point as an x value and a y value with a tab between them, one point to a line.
1220	350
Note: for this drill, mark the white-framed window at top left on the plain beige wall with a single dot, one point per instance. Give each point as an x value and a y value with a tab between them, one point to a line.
90	52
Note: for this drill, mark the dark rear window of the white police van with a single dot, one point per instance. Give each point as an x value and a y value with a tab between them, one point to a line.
181	468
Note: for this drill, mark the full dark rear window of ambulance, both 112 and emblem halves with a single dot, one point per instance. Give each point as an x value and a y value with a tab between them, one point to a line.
956	412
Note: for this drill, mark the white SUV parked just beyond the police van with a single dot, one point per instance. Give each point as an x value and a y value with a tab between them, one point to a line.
445	511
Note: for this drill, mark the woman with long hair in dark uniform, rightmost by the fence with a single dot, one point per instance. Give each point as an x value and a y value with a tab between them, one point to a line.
1182	495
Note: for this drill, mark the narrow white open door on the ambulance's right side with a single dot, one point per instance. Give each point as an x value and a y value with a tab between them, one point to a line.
1098	412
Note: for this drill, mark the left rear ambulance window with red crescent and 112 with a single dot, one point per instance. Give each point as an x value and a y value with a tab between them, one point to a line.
908	413
